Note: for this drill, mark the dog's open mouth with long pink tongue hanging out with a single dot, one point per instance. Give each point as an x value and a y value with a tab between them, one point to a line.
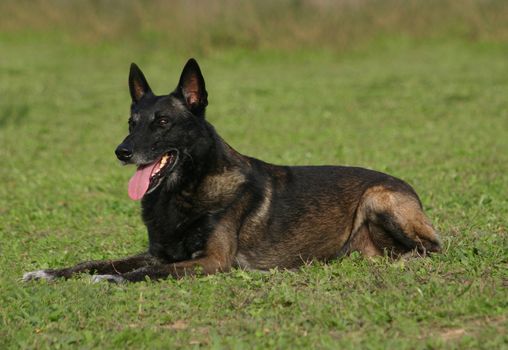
149	176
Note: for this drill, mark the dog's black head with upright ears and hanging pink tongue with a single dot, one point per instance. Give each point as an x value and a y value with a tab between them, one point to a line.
166	133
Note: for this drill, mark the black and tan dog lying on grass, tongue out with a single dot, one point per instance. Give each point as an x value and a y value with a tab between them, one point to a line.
209	209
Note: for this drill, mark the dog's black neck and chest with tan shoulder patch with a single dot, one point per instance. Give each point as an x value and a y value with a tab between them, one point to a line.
178	217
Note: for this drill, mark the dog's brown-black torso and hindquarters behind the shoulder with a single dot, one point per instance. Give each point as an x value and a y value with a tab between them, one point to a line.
297	214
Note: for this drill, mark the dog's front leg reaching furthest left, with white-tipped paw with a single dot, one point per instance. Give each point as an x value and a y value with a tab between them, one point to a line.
104	267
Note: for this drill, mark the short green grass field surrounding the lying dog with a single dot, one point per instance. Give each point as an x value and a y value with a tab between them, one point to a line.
433	112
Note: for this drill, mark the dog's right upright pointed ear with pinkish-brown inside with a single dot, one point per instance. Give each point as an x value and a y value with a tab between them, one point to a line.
192	87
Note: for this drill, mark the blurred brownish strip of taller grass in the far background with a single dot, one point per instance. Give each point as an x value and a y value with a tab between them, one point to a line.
196	26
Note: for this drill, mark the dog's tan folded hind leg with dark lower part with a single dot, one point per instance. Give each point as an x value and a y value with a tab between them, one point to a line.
393	222
